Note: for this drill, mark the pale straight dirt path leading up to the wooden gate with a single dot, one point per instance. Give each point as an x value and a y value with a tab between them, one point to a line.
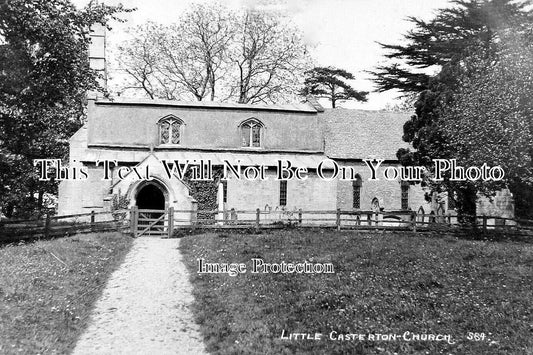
145	306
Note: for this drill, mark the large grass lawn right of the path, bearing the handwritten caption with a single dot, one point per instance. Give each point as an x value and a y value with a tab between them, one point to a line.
383	284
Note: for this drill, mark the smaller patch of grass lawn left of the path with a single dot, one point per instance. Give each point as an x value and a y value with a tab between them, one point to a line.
47	289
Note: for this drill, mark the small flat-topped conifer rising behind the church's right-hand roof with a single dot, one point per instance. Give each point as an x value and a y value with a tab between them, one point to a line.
330	83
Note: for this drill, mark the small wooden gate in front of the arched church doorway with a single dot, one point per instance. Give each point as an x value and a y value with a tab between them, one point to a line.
152	222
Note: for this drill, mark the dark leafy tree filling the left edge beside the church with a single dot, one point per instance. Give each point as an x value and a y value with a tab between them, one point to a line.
44	77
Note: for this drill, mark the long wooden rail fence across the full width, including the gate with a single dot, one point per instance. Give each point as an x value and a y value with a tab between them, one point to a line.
128	220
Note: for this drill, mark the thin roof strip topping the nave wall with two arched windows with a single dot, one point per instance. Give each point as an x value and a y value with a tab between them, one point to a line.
299	107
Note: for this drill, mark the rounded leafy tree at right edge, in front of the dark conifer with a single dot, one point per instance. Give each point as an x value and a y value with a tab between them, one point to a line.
491	117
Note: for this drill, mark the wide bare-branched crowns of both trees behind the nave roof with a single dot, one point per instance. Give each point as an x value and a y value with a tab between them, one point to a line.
213	53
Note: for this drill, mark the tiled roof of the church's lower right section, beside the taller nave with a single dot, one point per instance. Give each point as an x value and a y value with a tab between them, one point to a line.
359	134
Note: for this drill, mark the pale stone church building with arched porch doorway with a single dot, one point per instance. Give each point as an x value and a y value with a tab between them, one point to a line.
304	134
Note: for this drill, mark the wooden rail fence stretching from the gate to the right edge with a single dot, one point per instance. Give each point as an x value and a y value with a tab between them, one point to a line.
341	219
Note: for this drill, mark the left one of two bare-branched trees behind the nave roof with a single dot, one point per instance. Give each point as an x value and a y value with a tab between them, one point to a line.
184	59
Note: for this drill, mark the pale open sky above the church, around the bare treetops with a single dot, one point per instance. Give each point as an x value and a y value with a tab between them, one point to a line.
340	33
